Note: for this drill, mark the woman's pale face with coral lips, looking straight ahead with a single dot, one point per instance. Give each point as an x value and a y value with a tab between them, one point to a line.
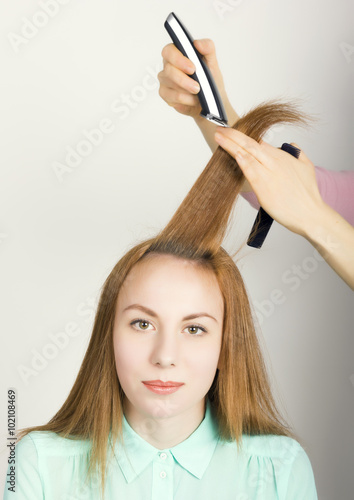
168	327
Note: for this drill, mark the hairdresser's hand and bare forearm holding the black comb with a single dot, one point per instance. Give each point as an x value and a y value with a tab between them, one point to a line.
286	188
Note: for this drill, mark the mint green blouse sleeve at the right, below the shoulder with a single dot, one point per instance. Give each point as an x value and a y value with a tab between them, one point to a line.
301	482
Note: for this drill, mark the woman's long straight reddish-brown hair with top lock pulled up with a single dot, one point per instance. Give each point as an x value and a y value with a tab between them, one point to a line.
240	392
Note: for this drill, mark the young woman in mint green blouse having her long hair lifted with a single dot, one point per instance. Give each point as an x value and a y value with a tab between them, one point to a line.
172	400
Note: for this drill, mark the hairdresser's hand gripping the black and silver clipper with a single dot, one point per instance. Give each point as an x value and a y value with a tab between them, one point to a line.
177	88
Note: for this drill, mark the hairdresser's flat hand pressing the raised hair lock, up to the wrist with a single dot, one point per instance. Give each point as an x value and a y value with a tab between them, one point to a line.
285	187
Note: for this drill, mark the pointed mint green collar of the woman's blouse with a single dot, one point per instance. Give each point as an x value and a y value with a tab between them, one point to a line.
193	454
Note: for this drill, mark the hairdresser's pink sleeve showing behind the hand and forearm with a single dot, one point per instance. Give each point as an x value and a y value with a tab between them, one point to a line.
336	189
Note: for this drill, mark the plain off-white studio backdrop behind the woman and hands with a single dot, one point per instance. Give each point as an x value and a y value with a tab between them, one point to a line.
93	161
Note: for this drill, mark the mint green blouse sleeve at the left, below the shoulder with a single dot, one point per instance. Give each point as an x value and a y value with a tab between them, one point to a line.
28	484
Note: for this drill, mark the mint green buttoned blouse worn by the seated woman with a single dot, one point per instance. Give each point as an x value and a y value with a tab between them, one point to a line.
201	467
